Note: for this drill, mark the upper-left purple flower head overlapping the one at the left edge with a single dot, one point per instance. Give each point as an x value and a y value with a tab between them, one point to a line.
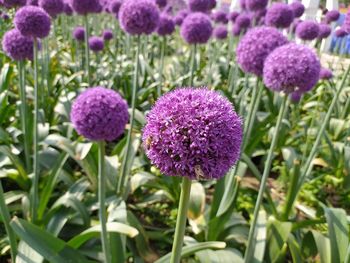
33	21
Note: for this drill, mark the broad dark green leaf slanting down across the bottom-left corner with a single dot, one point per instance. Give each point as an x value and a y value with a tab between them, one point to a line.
51	248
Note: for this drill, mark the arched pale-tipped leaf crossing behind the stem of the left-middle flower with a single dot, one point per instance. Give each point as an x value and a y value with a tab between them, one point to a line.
95	231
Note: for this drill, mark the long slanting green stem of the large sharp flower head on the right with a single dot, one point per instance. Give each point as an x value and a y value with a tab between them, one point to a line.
251	239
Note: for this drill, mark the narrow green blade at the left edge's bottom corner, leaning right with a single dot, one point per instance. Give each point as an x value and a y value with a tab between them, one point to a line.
5	214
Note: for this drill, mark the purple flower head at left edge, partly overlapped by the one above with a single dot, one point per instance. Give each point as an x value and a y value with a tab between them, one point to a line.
17	46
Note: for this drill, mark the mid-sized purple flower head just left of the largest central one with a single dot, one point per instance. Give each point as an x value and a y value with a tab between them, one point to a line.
100	114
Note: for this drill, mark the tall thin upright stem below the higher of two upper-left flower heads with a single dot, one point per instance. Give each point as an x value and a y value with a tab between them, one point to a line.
35	187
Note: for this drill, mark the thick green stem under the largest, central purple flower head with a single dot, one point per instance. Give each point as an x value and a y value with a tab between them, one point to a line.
181	220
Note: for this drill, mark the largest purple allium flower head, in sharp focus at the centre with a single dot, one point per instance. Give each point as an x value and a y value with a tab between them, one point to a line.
194	133
